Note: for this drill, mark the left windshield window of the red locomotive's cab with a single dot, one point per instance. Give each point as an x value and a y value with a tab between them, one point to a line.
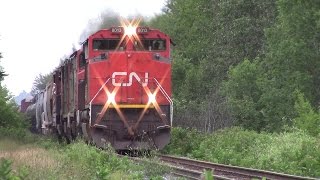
106	44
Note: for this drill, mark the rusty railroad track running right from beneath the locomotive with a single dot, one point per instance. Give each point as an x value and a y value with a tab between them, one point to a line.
193	169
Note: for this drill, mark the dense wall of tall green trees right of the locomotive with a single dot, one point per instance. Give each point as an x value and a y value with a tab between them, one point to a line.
251	63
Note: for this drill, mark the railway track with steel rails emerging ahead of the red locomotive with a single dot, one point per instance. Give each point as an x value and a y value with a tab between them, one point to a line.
228	171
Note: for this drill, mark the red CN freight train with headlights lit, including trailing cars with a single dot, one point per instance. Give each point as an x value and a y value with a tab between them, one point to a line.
115	89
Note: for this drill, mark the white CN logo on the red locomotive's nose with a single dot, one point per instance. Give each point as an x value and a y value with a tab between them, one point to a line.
131	76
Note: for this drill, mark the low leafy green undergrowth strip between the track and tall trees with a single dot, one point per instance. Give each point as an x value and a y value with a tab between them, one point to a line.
293	152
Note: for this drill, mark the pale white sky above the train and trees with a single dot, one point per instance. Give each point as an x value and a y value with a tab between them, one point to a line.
35	34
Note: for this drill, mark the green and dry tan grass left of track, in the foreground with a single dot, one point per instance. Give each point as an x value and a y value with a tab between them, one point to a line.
44	158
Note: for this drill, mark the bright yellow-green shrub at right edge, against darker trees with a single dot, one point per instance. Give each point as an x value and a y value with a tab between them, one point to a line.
307	118
